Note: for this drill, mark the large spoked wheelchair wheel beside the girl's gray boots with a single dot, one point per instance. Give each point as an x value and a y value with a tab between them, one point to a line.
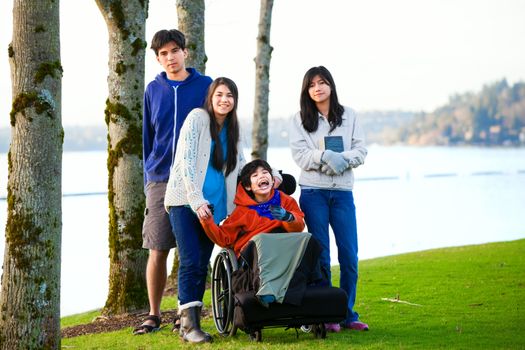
221	292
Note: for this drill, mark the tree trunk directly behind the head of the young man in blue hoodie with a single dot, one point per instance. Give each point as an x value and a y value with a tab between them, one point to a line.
191	22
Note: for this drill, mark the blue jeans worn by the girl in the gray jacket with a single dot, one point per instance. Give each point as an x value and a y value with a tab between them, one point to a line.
335	208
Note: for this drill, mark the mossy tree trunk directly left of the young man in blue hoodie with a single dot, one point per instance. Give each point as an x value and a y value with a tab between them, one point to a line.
126	21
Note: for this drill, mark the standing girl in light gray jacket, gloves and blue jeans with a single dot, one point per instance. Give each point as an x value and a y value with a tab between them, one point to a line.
327	142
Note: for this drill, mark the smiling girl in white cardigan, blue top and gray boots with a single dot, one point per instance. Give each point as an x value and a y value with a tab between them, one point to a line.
202	183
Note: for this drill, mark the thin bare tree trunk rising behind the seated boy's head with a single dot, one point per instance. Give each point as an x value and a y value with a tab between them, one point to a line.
262	82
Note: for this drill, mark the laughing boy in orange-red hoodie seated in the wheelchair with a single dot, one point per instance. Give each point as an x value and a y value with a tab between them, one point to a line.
276	255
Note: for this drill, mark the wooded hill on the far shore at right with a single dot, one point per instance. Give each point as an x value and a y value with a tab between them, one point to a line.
495	116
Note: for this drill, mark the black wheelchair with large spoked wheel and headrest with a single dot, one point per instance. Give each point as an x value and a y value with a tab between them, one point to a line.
242	310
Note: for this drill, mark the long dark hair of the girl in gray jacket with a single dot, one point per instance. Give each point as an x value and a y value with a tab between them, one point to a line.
309	112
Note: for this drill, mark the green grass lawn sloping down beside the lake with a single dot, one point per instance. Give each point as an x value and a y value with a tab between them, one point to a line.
470	297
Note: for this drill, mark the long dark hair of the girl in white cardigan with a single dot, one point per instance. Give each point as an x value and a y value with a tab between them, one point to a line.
232	125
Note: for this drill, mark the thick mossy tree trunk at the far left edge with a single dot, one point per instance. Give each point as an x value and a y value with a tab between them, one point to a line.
30	298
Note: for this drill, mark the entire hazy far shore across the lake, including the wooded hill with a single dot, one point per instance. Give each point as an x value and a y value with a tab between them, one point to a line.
495	116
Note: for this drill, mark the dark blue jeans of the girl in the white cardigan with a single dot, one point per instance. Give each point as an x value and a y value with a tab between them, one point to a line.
194	253
